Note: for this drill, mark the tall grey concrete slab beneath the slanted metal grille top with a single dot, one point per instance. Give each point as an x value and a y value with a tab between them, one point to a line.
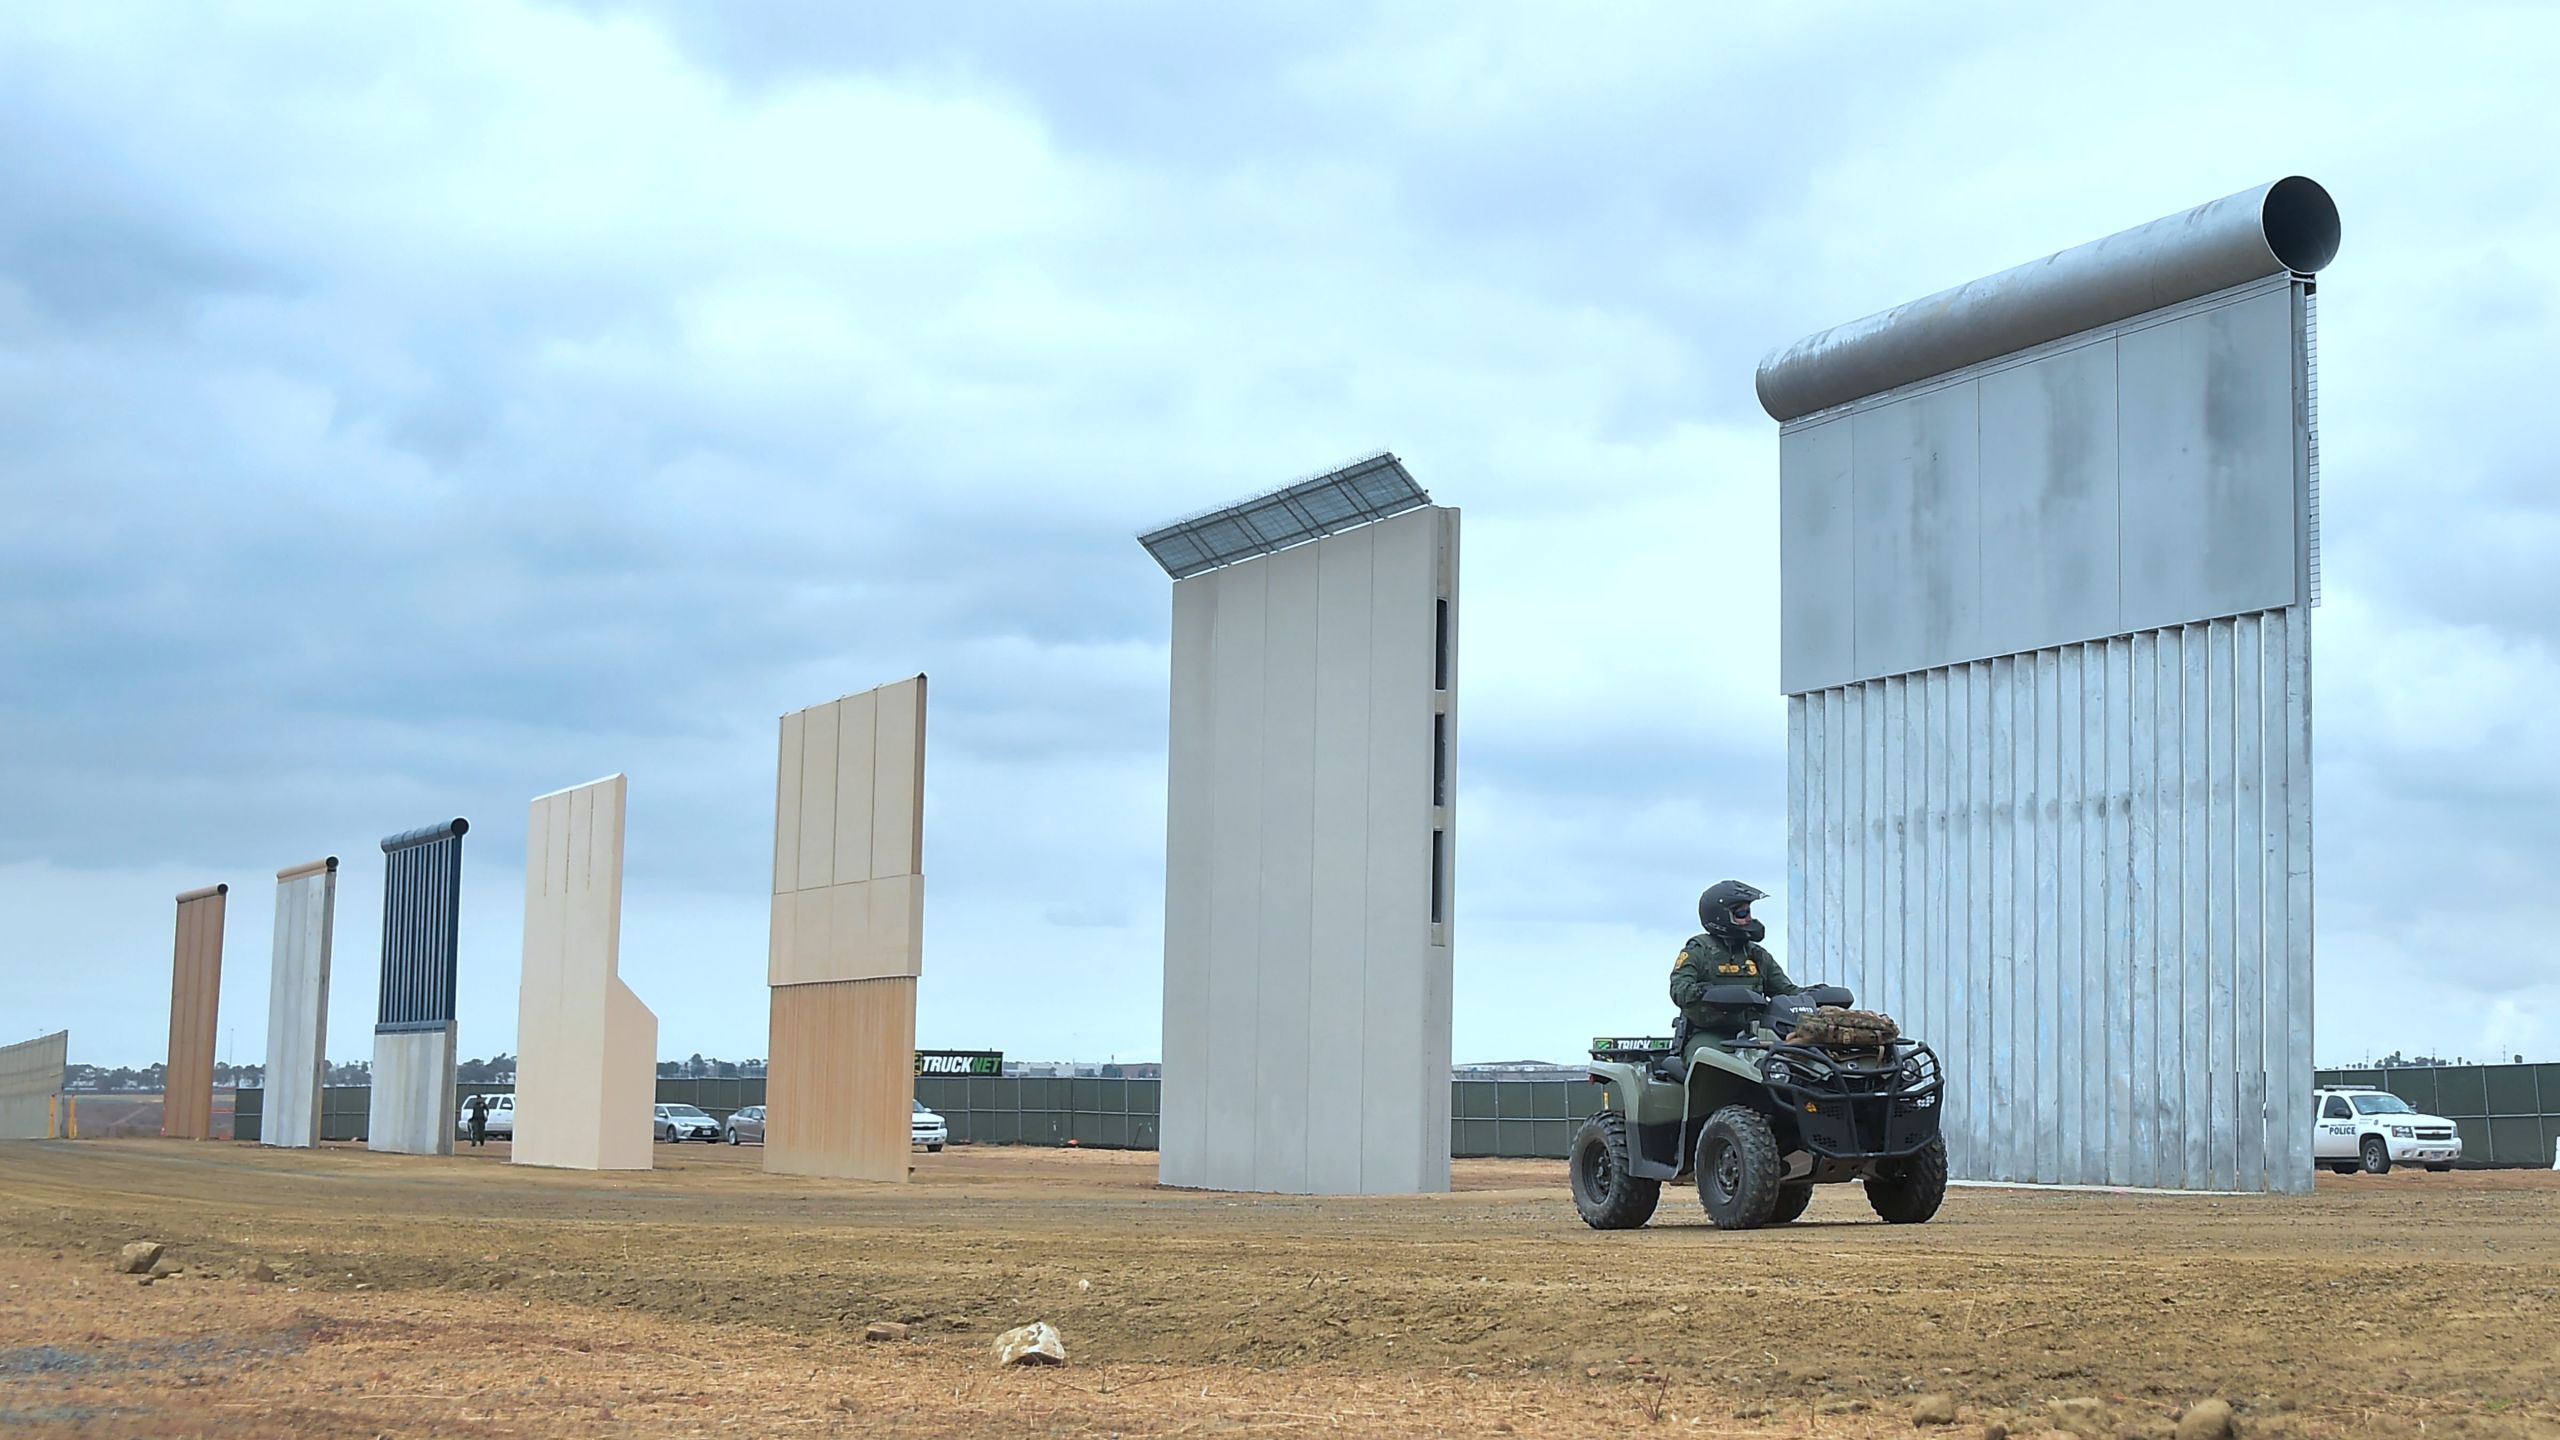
1309	862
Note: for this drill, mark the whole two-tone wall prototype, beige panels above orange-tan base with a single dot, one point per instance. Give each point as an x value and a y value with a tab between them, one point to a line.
849	934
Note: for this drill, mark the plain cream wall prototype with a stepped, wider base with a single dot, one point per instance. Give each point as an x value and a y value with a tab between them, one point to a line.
588	1049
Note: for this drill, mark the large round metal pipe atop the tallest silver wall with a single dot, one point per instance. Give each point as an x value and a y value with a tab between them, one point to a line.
2272	229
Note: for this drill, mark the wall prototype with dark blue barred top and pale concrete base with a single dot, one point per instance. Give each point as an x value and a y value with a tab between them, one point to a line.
413	1026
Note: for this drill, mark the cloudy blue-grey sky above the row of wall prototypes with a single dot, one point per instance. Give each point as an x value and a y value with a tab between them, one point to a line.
408	411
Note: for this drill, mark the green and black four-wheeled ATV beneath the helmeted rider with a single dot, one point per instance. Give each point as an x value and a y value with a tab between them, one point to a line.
1763	1124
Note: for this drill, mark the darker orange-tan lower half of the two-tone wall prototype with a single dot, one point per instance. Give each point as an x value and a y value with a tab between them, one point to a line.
841	1080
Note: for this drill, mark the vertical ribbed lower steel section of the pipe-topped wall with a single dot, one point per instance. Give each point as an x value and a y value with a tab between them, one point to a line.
2085	875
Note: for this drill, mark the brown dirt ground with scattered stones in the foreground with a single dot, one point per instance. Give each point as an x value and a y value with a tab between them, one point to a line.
472	1298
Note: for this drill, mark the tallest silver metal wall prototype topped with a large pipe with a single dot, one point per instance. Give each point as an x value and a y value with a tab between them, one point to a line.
2049	550
